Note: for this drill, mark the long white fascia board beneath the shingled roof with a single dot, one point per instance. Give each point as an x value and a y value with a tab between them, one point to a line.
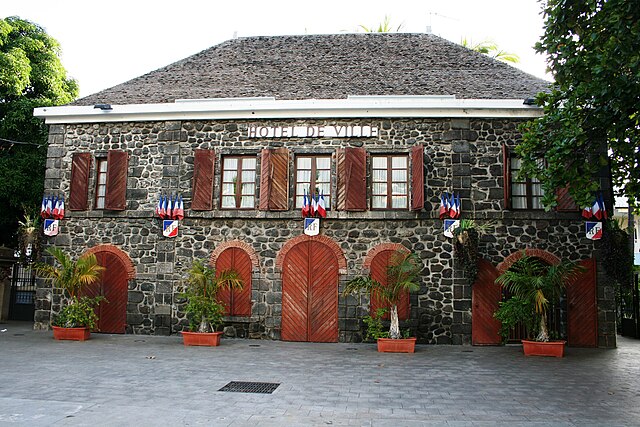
269	108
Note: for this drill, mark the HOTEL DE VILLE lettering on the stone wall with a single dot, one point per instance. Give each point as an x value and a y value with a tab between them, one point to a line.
331	131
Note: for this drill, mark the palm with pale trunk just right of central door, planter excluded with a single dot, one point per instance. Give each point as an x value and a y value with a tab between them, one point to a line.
402	275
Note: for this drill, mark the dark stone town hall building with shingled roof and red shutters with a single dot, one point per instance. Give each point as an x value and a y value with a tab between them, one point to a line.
382	125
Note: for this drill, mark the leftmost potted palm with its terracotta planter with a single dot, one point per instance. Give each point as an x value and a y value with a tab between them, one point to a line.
77	317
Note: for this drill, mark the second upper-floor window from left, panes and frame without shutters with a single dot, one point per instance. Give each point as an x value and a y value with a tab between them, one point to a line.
238	182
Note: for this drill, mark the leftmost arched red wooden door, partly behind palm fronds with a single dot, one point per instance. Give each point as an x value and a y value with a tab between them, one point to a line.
112	313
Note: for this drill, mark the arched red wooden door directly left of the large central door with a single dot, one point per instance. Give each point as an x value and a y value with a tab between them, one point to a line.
237	302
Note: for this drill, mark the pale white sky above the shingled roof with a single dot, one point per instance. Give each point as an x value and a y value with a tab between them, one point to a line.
107	43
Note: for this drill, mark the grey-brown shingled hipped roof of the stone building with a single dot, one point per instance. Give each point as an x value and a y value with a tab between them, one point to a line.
326	67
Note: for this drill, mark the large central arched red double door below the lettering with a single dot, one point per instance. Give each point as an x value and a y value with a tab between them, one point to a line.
310	294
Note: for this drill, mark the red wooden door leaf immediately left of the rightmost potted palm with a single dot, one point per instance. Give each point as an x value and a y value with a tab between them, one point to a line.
485	297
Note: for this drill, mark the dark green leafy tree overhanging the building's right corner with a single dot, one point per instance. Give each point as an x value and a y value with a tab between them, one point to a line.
592	113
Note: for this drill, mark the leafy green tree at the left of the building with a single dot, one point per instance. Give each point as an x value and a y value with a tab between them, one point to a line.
31	75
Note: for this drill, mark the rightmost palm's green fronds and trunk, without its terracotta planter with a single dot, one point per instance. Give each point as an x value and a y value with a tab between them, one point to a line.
539	285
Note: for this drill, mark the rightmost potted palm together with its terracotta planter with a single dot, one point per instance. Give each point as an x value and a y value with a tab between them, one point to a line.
535	286
